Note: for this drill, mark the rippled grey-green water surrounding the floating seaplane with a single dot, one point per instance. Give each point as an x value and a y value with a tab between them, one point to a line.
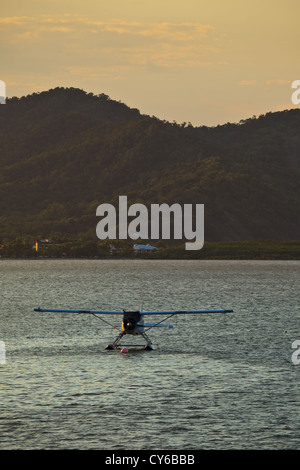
213	381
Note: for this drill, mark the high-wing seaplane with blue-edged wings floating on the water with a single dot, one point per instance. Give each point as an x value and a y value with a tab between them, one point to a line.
133	322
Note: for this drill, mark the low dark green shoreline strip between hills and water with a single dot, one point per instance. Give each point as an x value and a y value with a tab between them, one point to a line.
267	250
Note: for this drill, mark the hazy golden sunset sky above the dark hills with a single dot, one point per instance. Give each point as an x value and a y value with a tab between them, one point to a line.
206	62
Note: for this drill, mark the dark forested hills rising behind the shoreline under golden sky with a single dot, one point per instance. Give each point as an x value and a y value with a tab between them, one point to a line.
64	152
